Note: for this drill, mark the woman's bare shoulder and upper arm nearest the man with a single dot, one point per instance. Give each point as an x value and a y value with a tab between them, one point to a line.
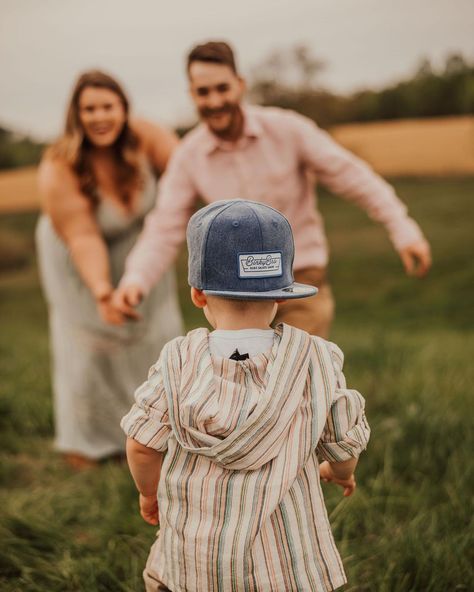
158	142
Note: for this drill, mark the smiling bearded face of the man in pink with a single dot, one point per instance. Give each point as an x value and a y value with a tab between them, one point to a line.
217	91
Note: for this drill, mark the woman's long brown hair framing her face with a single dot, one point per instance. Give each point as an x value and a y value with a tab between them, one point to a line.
73	146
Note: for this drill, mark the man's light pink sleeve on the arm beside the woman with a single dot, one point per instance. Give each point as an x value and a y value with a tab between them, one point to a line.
165	226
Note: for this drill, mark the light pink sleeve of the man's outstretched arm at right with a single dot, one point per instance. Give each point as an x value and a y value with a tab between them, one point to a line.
353	179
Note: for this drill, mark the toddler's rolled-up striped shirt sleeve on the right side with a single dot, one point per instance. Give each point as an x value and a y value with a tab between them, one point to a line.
346	432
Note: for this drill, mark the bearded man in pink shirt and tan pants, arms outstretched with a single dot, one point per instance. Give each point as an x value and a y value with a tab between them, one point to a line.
268	155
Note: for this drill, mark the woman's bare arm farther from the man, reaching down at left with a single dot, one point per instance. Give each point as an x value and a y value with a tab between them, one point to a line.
73	219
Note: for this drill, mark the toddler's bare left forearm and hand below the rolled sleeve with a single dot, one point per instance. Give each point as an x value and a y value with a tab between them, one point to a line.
145	467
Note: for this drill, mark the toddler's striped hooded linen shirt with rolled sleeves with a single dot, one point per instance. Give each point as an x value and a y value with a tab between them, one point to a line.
240	503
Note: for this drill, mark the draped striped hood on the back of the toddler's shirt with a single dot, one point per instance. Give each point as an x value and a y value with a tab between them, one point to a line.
237	413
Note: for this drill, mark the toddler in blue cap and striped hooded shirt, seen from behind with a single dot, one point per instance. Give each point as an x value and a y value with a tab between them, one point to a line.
232	431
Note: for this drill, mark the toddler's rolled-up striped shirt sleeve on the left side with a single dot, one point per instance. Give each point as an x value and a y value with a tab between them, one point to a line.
147	422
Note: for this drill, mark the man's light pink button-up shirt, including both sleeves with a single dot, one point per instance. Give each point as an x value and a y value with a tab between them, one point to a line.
276	161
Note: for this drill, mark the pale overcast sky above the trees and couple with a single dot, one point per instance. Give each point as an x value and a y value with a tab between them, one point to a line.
44	44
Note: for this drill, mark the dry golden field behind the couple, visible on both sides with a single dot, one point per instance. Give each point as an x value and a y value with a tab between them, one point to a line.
422	147
